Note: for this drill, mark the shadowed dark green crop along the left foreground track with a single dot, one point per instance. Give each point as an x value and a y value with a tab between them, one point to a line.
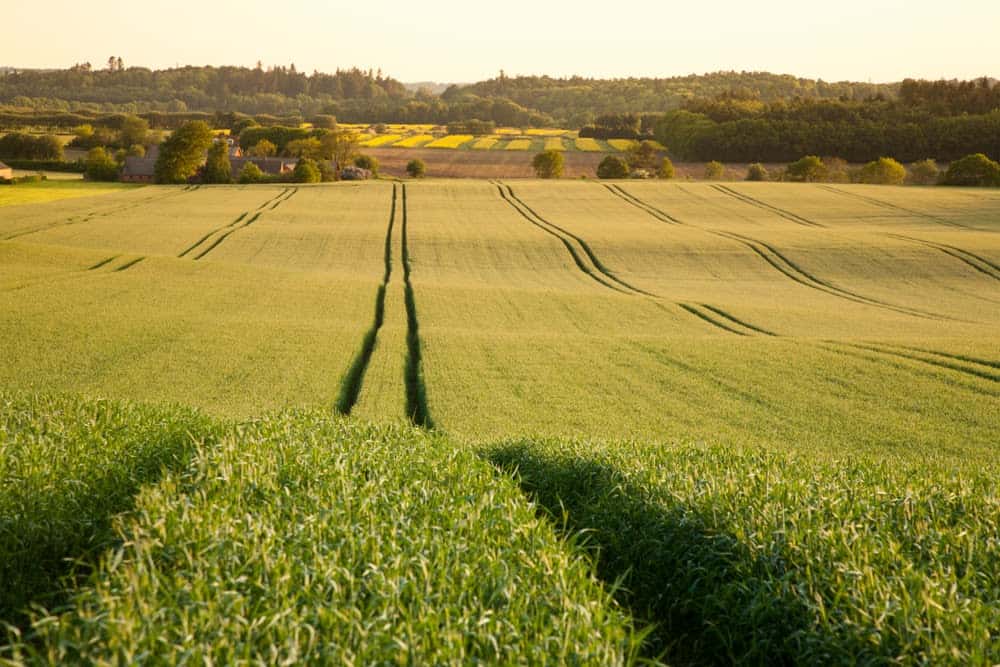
54	528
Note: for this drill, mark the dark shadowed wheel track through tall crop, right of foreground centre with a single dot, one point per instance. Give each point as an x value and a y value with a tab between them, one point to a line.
709	600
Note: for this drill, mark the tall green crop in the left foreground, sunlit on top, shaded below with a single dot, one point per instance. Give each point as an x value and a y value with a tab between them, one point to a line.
69	467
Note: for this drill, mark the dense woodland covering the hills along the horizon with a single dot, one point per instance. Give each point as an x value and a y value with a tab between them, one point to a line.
726	116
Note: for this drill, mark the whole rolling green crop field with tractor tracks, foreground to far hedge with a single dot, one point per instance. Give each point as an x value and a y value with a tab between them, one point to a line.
442	422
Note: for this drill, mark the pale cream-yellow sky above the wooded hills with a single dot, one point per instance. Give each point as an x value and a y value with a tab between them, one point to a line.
451	41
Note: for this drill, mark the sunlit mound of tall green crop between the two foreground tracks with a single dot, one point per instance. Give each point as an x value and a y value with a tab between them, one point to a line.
300	537
